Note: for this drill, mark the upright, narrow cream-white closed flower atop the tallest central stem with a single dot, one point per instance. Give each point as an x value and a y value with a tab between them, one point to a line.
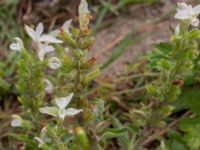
83	15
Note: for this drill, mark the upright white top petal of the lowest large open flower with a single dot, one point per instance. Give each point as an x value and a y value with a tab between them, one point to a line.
64	101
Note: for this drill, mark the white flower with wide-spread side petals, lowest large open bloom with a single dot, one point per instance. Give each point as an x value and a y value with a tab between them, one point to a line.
60	111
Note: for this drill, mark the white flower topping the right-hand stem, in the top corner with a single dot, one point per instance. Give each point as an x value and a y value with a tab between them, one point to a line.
187	12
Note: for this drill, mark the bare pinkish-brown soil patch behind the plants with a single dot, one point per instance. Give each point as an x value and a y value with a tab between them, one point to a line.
143	18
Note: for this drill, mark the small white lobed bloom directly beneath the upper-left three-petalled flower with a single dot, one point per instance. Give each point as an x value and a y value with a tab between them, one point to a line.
43	49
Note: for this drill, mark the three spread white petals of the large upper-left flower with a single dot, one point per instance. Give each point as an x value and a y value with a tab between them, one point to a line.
38	37
